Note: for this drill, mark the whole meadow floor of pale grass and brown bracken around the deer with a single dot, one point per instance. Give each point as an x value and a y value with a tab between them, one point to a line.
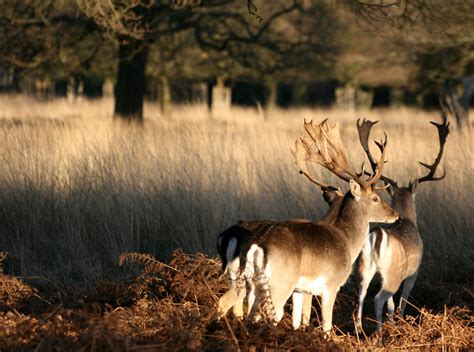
78	189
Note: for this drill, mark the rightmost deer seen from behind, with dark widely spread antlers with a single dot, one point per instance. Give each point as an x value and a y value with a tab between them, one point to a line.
394	251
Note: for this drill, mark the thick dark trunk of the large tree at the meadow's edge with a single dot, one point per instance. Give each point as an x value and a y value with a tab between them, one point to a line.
130	85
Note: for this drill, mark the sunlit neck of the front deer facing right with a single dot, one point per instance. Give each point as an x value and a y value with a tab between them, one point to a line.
353	222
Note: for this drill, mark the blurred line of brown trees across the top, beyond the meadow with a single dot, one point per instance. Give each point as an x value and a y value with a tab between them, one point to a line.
420	46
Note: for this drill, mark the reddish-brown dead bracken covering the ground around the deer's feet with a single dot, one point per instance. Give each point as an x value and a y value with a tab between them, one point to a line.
173	307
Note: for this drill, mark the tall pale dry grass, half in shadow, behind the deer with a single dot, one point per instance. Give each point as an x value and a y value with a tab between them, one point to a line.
76	189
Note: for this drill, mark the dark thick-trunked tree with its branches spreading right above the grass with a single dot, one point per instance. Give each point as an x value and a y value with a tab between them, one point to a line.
264	39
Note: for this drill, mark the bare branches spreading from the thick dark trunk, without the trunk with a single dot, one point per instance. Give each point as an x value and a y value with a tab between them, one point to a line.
272	43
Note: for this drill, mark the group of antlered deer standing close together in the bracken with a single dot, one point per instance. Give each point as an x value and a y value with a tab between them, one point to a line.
269	261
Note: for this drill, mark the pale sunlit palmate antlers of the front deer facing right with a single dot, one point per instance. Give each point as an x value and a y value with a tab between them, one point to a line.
322	144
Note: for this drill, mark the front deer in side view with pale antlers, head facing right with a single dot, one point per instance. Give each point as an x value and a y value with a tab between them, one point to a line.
315	257
